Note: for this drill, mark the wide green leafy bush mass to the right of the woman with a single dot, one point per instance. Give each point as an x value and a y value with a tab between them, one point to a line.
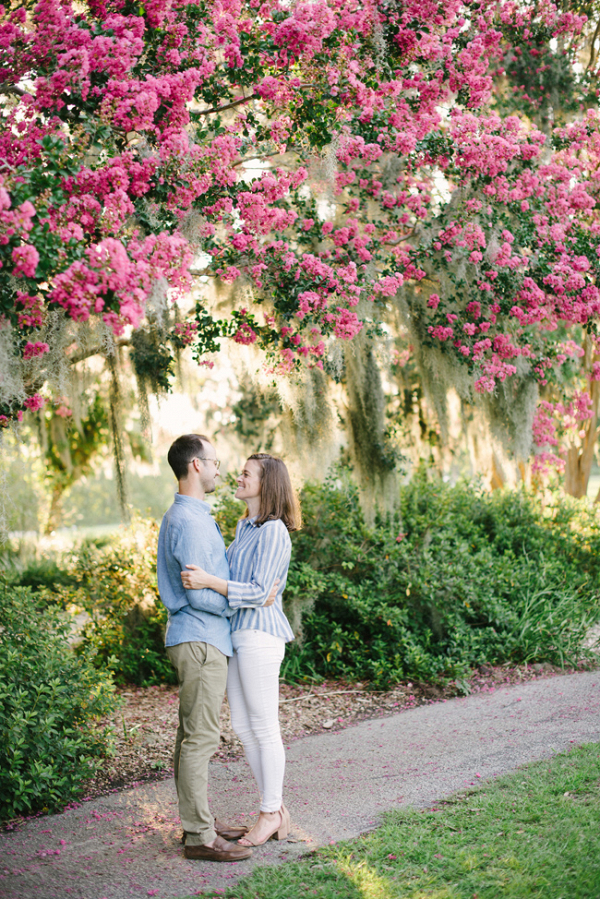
457	578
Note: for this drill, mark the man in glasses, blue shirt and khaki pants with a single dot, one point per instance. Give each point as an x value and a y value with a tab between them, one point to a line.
198	642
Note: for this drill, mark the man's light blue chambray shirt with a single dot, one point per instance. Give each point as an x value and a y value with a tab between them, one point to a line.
189	535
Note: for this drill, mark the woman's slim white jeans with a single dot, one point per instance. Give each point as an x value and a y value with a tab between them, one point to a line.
253	694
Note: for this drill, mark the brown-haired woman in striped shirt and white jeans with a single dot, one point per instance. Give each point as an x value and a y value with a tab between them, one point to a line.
258	557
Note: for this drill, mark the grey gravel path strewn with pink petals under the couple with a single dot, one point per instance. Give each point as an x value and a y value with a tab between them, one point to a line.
337	785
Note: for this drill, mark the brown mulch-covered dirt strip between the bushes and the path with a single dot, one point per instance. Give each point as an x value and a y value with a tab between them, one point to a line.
146	722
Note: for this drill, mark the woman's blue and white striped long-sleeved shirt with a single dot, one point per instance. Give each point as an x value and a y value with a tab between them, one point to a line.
258	556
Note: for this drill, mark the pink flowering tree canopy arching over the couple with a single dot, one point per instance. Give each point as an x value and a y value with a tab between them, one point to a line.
334	157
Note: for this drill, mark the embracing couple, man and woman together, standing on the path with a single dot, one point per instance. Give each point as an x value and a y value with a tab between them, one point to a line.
227	629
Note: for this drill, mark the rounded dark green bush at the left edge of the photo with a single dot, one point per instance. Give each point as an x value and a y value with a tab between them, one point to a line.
50	700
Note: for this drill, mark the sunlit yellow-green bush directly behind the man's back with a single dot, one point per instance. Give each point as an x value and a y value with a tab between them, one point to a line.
116	585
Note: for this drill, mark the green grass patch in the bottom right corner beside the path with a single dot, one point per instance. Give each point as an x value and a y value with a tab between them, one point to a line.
533	834
